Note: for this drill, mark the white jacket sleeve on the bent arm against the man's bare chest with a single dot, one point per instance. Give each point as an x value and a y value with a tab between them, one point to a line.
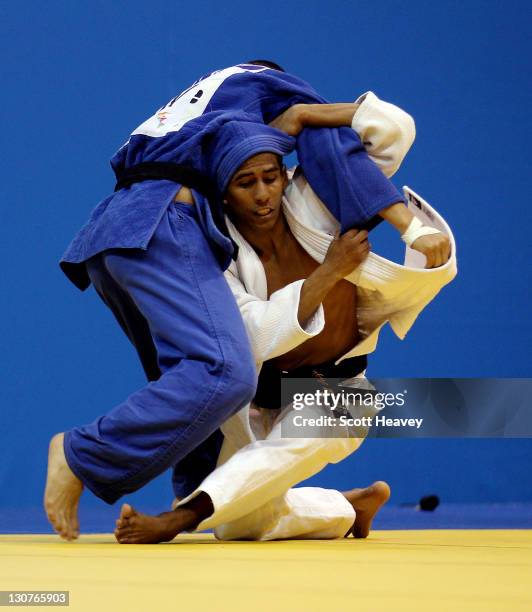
272	325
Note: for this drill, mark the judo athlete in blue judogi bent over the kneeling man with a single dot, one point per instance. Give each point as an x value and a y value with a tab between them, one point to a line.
160	271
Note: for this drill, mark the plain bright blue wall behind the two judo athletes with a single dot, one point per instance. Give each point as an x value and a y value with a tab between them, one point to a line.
78	77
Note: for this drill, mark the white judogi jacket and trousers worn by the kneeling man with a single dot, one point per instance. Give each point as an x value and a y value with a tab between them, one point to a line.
251	487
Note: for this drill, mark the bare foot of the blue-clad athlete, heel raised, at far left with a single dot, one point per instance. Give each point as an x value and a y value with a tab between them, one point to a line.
62	493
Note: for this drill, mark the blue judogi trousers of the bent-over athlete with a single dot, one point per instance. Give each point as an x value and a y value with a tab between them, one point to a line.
175	306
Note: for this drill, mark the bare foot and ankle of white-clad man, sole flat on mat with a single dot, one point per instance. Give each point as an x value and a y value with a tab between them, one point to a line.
136	528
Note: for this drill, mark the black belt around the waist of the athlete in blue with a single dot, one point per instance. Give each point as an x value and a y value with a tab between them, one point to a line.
184	175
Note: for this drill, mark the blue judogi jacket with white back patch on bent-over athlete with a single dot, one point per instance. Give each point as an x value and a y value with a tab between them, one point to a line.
333	160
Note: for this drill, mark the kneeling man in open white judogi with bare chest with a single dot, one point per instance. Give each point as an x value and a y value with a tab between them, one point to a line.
338	298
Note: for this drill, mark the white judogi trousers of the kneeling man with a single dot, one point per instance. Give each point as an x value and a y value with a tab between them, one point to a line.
251	487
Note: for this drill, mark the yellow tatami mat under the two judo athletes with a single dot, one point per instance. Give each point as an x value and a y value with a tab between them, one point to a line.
392	570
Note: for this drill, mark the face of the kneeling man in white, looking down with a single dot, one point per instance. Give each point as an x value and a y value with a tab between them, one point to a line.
253	197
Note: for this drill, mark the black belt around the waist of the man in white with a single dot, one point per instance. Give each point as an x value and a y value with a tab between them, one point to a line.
268	394
